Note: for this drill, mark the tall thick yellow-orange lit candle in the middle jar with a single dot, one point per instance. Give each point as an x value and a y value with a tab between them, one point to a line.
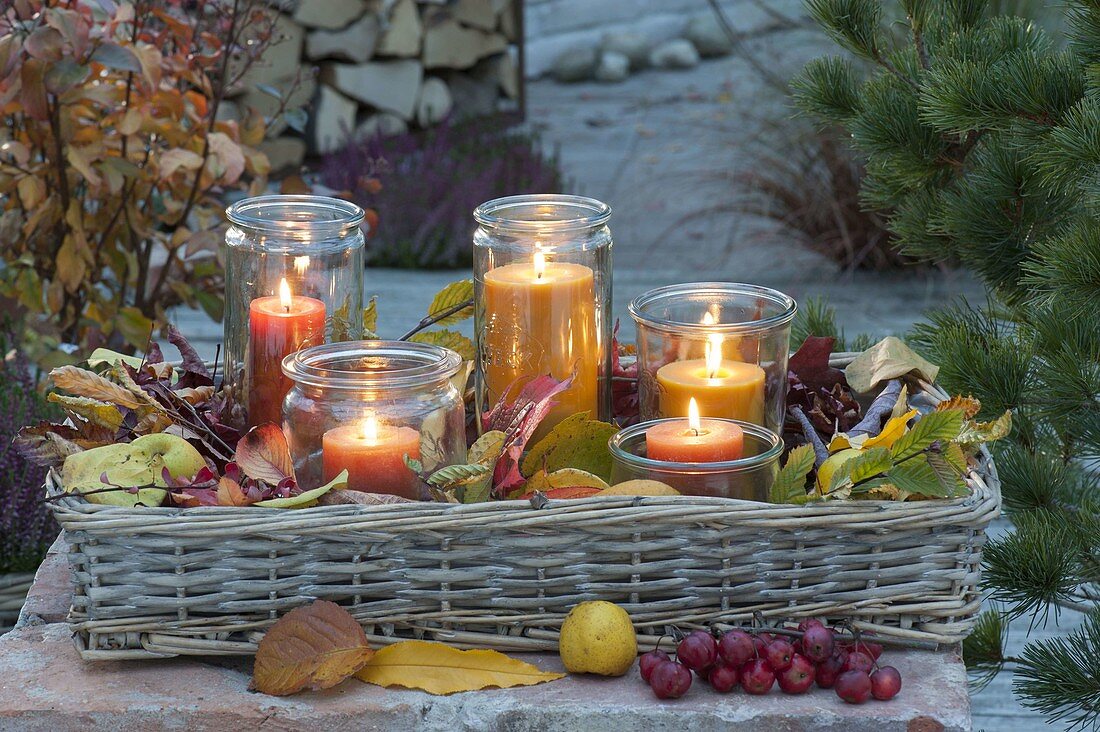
541	319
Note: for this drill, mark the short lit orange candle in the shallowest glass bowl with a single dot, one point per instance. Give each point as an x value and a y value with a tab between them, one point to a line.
695	440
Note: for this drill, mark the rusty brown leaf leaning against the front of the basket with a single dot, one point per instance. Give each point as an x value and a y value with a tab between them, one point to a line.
312	648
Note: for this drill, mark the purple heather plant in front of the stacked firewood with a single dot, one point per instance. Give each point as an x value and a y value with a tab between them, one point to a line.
424	187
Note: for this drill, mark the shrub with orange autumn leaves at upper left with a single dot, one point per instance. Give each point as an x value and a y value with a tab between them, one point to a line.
113	157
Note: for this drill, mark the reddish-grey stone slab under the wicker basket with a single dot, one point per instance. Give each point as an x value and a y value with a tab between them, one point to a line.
45	687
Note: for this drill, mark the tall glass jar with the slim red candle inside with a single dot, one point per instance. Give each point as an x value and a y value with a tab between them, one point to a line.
294	279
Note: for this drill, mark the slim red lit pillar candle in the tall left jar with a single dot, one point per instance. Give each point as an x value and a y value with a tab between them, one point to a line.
279	326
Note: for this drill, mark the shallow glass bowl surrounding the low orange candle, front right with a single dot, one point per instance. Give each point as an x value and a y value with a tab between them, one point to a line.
750	478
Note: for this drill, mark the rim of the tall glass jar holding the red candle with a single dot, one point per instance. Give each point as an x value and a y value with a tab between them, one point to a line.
302	218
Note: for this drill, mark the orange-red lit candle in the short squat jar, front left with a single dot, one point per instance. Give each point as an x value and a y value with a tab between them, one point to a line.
375	457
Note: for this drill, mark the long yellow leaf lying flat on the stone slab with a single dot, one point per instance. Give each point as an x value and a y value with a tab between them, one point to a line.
442	670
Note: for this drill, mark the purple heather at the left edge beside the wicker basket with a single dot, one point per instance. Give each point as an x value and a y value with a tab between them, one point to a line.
27	529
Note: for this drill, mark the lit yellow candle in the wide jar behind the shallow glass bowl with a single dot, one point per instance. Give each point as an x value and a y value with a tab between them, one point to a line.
727	389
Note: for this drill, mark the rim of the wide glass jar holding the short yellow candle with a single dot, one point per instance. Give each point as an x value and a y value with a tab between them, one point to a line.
640	308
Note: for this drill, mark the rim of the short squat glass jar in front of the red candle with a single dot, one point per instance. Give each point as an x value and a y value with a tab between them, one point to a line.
425	364
